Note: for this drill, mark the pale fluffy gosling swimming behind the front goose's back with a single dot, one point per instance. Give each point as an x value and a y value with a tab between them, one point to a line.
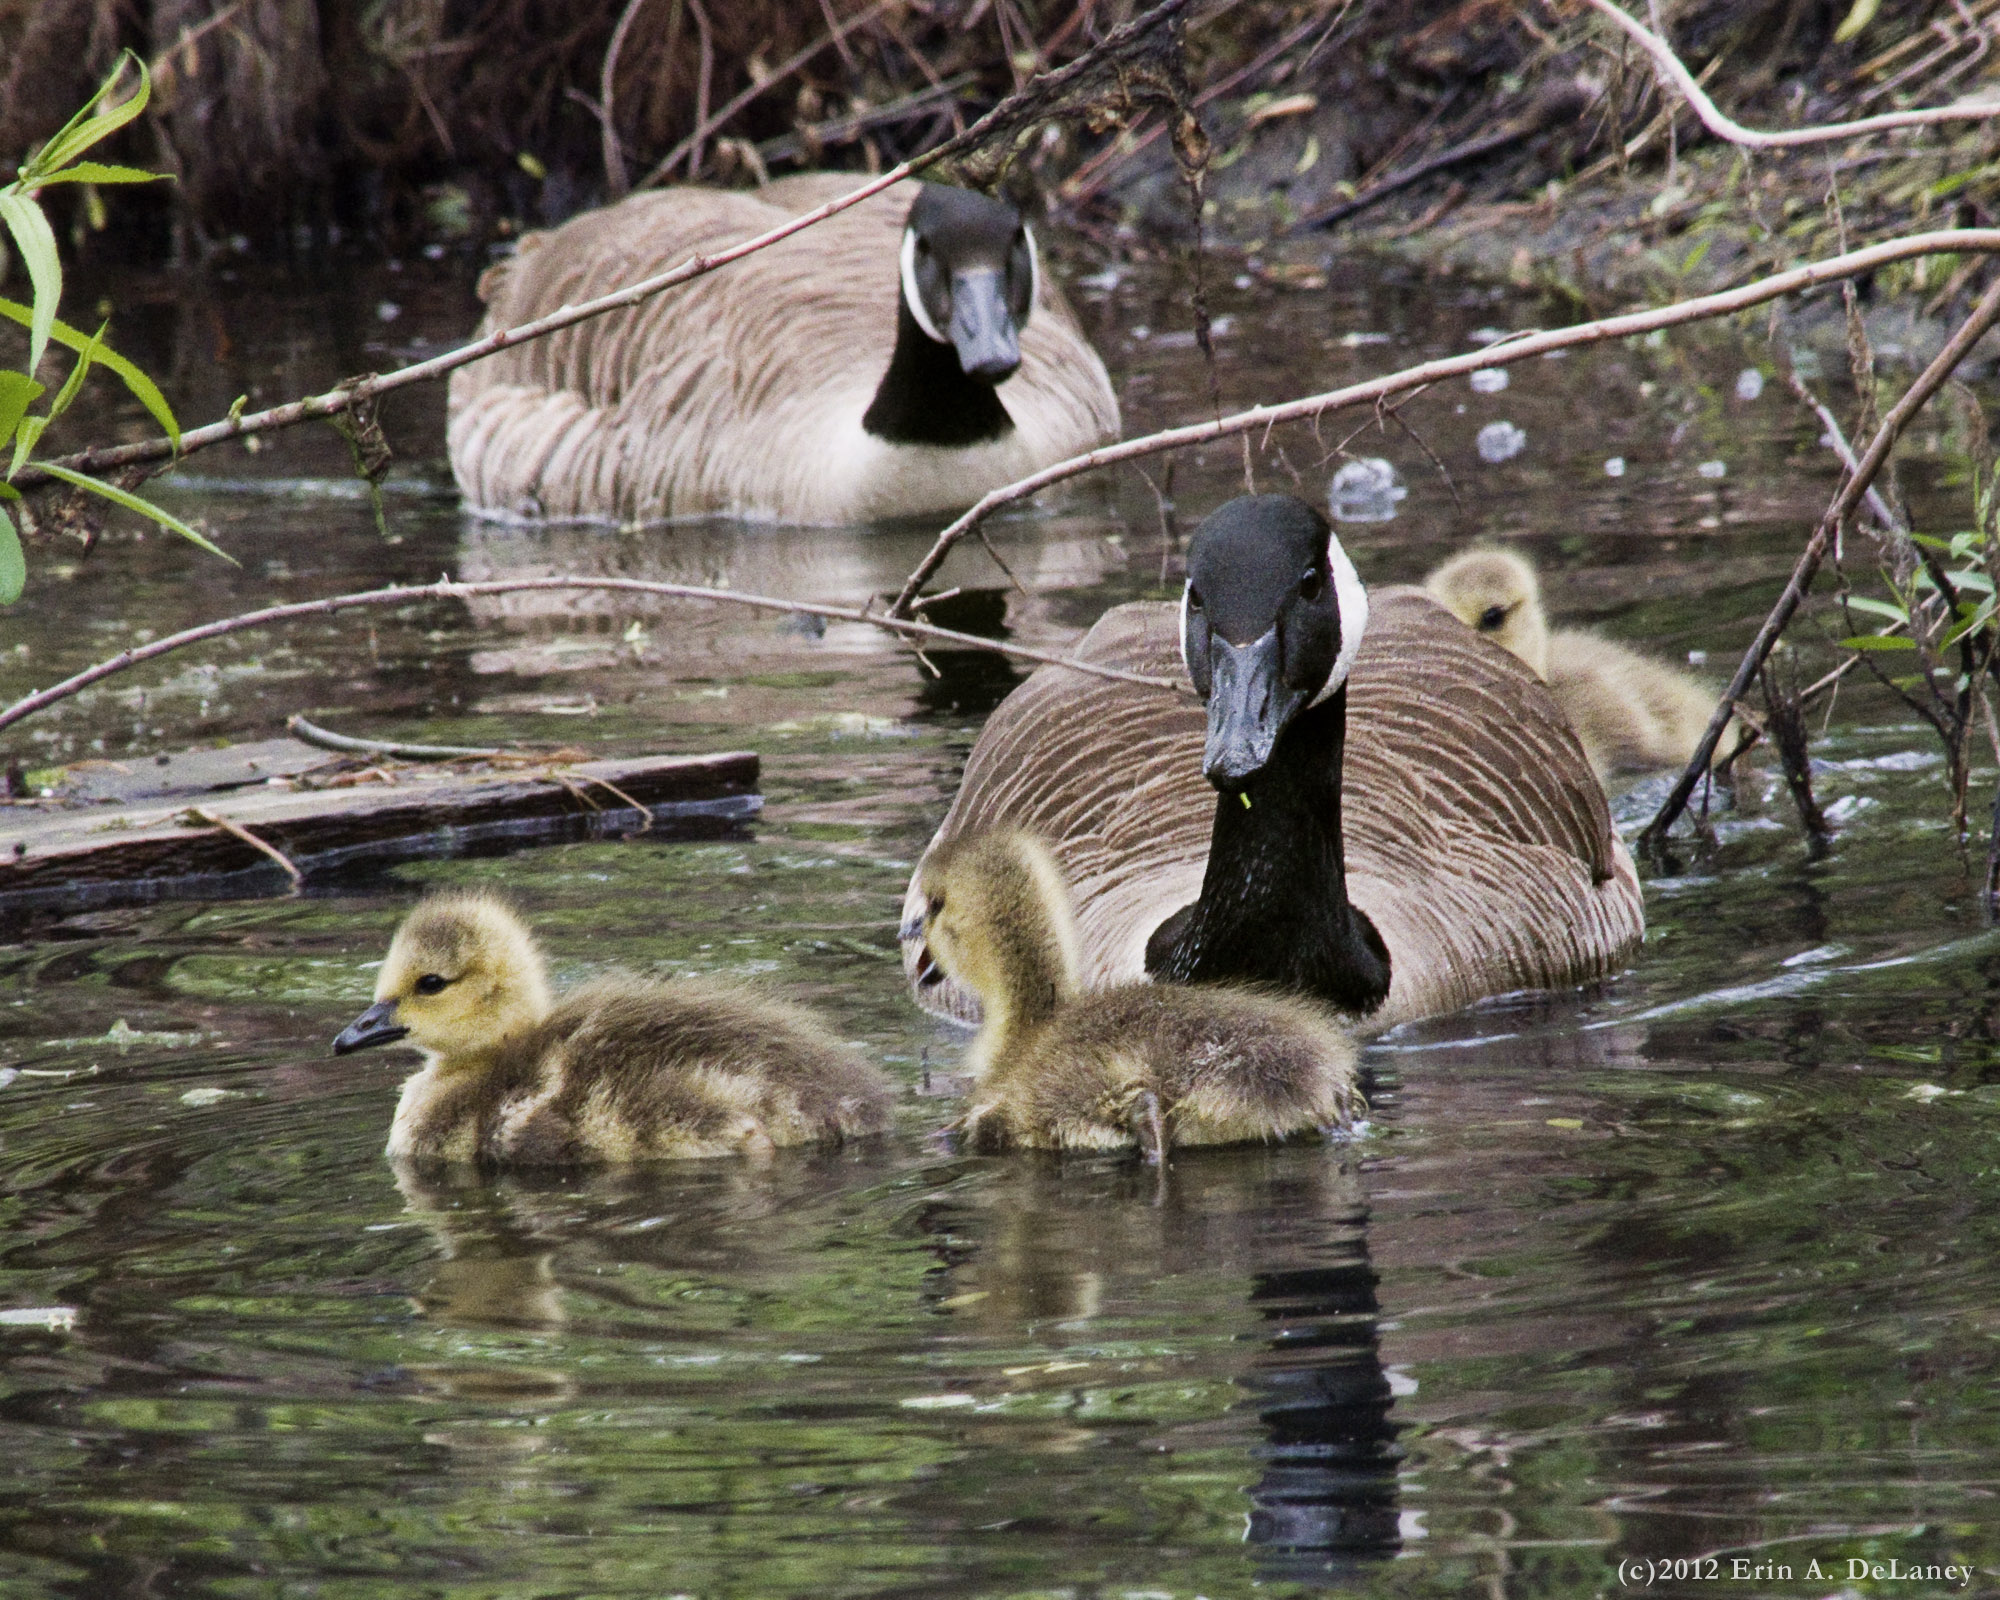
1631	713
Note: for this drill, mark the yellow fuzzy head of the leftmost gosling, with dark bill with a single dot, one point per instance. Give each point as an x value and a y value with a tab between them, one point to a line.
463	977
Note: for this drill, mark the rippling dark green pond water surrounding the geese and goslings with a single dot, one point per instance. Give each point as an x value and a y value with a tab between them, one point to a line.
1701	1267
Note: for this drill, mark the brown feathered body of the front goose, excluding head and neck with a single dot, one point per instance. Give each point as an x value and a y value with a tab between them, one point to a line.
1477	837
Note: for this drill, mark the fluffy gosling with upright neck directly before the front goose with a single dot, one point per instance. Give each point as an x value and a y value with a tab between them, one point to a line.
1131	1065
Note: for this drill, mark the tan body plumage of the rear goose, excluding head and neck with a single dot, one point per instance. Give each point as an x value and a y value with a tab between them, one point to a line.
739	391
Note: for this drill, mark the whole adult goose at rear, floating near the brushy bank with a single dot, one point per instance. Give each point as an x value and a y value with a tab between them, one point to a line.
903	357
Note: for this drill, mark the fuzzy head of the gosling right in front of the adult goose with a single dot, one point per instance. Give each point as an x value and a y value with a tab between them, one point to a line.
997	919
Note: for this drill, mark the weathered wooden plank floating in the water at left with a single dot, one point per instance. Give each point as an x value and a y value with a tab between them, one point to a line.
159	849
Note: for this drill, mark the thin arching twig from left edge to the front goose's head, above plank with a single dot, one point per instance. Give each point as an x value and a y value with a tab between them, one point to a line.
445	589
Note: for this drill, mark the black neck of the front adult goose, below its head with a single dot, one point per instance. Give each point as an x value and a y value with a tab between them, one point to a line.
1275	899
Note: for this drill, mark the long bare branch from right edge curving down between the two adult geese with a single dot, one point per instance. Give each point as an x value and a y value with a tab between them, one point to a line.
1451	367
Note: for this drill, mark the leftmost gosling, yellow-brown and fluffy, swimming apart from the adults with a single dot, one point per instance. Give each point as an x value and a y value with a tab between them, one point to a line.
615	1071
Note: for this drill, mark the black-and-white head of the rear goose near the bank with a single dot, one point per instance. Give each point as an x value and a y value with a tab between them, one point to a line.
969	277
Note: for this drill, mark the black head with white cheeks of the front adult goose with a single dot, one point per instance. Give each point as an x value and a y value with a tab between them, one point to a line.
1271	617
